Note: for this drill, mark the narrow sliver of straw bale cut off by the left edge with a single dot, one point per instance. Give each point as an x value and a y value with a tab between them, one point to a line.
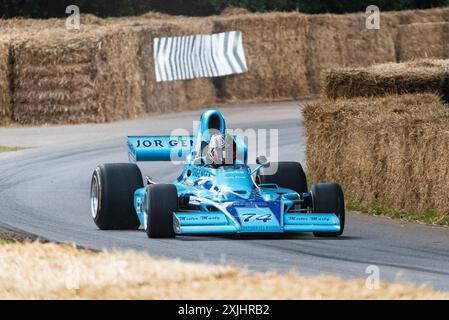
5	90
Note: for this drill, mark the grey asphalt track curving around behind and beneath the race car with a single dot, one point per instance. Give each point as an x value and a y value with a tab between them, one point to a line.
45	191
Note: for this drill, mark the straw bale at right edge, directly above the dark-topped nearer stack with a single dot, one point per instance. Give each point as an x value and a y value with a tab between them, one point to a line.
424	40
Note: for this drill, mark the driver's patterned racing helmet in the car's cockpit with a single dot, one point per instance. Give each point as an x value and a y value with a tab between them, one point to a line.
222	150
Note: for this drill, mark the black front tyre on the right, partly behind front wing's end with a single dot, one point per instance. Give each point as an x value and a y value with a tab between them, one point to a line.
329	198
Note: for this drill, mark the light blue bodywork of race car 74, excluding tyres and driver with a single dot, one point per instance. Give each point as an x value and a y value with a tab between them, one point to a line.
225	199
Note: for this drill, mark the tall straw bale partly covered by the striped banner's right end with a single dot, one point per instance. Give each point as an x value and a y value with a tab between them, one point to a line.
275	48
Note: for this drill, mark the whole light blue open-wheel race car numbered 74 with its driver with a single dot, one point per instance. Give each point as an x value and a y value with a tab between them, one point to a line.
216	193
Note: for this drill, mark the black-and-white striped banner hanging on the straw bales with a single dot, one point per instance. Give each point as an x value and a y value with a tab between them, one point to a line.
199	56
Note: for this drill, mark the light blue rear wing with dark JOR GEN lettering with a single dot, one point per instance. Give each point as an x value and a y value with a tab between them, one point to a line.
170	148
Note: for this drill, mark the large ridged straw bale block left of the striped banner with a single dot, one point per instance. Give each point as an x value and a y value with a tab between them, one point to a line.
75	77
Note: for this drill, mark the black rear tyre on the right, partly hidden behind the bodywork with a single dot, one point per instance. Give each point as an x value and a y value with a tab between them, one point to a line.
289	175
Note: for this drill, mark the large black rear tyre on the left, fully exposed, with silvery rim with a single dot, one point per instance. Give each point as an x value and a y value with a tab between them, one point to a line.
112	196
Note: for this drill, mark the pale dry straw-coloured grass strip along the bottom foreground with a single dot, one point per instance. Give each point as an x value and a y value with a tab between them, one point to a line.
51	271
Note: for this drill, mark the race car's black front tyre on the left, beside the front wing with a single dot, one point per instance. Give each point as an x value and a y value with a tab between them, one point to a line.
161	201
